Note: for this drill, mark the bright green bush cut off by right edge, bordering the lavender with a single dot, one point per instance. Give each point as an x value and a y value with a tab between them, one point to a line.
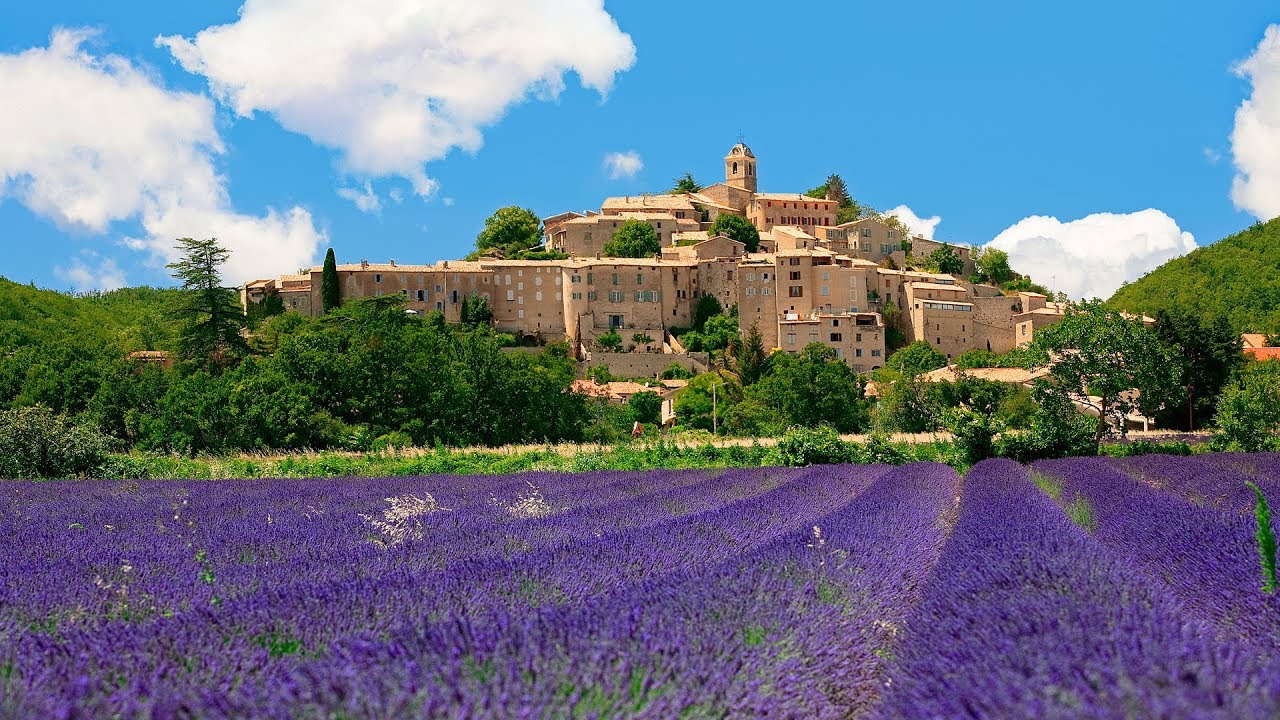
1249	411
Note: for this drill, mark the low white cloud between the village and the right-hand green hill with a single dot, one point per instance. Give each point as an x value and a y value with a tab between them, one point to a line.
1092	257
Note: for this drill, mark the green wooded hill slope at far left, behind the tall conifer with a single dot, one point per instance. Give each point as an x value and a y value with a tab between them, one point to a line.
135	318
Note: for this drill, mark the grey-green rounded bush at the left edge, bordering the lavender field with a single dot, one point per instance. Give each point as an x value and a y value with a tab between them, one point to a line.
38	444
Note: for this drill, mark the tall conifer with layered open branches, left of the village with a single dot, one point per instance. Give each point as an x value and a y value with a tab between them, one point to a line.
211	315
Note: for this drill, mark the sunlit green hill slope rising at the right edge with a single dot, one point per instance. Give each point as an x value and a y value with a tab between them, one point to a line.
1237	277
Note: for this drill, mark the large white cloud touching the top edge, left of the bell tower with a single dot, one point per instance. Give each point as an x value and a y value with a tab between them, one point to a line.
397	84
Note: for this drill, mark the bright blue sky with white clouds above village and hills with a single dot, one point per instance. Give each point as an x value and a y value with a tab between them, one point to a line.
982	117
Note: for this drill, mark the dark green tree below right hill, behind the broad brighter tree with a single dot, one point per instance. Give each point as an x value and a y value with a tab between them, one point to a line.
1210	354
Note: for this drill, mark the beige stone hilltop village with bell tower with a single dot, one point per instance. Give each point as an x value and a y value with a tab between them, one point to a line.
810	280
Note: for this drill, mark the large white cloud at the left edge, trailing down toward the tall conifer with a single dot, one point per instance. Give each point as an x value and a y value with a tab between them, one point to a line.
89	140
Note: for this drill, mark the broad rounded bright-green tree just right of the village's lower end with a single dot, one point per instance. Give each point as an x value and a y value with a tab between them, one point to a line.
1108	362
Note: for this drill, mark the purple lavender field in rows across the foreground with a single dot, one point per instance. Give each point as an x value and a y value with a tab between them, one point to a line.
1085	587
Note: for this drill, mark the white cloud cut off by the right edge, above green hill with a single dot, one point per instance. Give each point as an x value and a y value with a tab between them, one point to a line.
1256	138
